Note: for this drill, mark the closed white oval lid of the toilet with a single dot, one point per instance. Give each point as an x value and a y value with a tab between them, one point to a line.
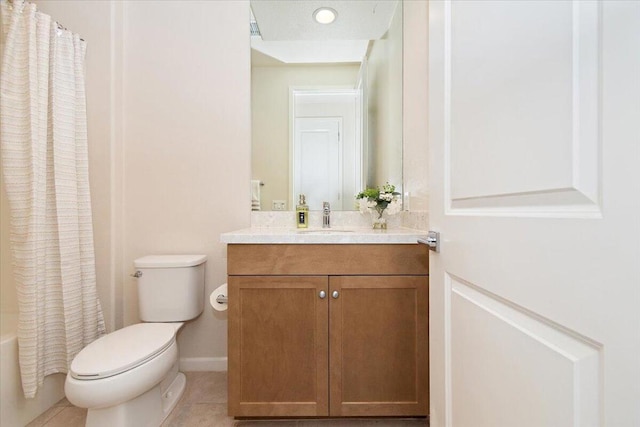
122	350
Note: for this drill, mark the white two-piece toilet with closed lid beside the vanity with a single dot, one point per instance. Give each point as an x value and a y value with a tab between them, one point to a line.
130	377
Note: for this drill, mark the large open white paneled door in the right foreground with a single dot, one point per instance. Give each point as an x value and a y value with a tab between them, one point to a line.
535	173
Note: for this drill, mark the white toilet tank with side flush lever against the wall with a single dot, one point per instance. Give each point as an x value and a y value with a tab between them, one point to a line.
170	287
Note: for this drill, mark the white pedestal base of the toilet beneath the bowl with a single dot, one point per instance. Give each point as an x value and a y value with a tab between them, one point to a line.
149	409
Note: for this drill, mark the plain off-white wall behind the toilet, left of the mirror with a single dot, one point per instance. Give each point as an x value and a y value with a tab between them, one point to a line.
186	163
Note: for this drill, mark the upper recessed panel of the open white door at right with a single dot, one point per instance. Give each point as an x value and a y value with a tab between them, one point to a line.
535	121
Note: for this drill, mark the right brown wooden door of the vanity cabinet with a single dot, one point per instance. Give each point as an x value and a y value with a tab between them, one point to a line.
379	345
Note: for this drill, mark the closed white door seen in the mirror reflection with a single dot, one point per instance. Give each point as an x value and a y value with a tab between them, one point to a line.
317	169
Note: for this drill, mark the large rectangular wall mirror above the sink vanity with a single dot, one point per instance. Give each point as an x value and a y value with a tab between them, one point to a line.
326	101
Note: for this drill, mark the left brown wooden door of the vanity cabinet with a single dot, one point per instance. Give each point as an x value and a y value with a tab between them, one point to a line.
278	346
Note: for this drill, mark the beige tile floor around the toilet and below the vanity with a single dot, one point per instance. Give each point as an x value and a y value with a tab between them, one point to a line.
204	403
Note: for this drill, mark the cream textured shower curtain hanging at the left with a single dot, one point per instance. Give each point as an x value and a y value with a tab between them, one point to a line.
43	131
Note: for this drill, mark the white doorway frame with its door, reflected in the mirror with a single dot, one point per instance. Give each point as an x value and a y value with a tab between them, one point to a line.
333	171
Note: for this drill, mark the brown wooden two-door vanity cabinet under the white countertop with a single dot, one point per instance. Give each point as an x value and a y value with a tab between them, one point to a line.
361	350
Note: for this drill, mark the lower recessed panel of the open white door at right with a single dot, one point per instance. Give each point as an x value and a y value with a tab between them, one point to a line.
518	361
